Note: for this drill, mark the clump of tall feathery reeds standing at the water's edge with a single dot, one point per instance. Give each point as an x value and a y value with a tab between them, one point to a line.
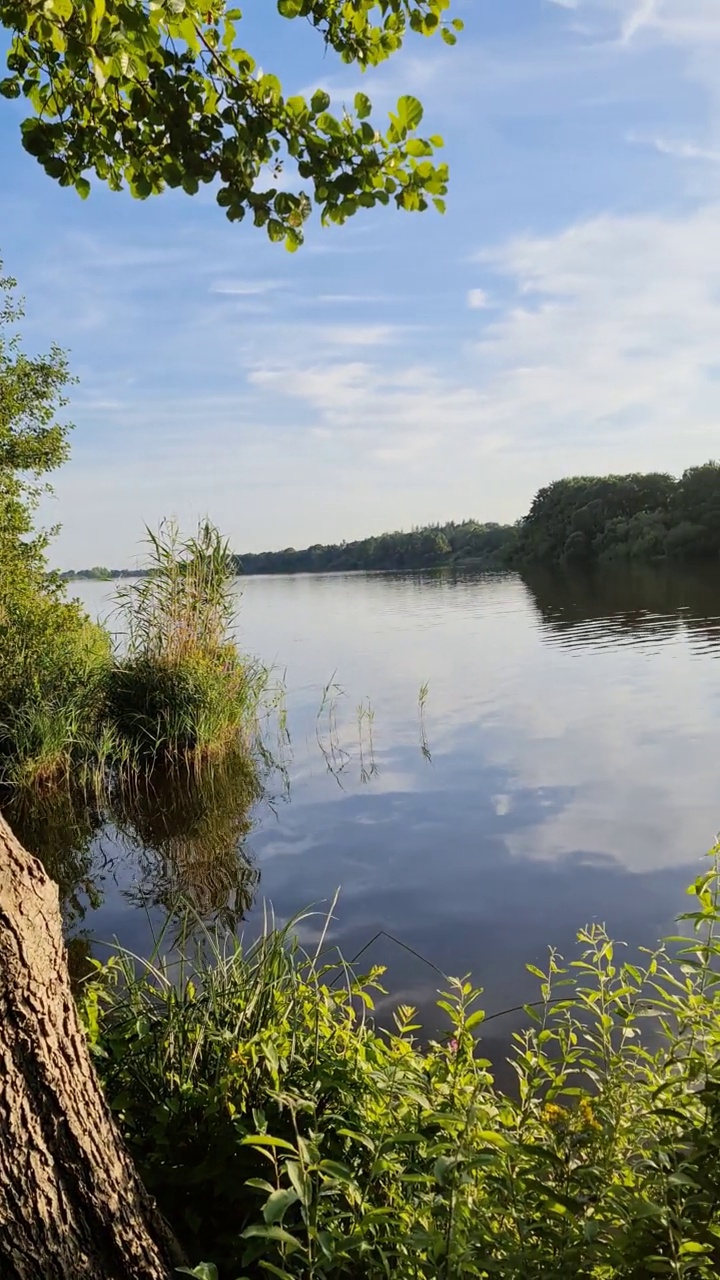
183	692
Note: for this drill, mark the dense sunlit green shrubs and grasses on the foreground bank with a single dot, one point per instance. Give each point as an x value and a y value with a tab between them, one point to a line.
285	1136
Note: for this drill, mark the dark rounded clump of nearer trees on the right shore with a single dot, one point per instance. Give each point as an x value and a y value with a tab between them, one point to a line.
587	520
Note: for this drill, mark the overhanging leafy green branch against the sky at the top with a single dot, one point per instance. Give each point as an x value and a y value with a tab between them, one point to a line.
154	94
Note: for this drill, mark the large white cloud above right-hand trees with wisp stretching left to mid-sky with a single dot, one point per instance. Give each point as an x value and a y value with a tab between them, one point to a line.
604	356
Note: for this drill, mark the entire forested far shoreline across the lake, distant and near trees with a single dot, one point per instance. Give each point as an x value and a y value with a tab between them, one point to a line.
581	520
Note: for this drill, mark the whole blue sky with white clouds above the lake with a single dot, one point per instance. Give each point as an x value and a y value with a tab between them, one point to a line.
563	317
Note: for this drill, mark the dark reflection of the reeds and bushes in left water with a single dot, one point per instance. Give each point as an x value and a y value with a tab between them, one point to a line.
181	834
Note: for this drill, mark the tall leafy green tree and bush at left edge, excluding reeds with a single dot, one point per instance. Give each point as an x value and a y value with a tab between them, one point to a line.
53	657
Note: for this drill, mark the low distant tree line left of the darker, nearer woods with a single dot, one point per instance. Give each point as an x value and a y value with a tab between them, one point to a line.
467	543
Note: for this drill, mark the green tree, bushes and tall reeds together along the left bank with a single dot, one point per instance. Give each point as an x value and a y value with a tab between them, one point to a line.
70	710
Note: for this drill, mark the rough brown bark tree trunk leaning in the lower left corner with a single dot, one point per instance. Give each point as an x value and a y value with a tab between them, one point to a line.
71	1203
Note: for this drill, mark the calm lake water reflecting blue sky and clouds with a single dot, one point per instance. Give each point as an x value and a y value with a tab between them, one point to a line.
564	767
